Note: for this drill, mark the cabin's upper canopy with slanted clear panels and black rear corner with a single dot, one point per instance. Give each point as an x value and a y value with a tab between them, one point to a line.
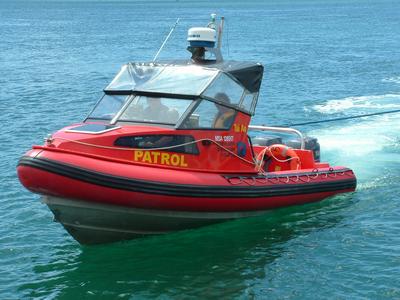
229	83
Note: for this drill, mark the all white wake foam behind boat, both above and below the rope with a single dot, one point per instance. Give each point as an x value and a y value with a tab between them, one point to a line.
363	143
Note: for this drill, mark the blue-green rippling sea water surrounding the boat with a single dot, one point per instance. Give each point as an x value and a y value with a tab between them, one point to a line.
323	59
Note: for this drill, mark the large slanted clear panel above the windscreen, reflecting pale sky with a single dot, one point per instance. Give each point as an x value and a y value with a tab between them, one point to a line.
170	79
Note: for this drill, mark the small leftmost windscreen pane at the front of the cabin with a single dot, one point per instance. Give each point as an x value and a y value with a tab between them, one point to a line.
107	107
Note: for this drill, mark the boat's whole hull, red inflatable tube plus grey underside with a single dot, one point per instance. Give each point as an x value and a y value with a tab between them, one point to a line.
96	204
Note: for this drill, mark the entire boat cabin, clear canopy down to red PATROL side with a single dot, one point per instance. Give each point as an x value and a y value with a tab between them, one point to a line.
180	114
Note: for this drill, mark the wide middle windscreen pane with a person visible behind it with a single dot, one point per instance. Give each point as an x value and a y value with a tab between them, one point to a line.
155	110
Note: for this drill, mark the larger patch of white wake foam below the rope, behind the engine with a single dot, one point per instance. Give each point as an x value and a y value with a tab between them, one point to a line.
365	147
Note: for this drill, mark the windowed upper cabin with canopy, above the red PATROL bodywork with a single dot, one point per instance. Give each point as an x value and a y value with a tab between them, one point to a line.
181	95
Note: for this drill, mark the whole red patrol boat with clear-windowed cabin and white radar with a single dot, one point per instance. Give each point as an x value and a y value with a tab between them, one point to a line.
167	148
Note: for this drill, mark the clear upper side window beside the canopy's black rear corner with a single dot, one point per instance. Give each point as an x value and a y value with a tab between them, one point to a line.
225	87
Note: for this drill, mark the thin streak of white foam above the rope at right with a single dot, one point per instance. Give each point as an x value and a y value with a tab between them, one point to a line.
366	103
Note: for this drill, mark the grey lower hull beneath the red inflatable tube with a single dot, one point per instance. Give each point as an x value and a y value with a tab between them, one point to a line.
94	223
